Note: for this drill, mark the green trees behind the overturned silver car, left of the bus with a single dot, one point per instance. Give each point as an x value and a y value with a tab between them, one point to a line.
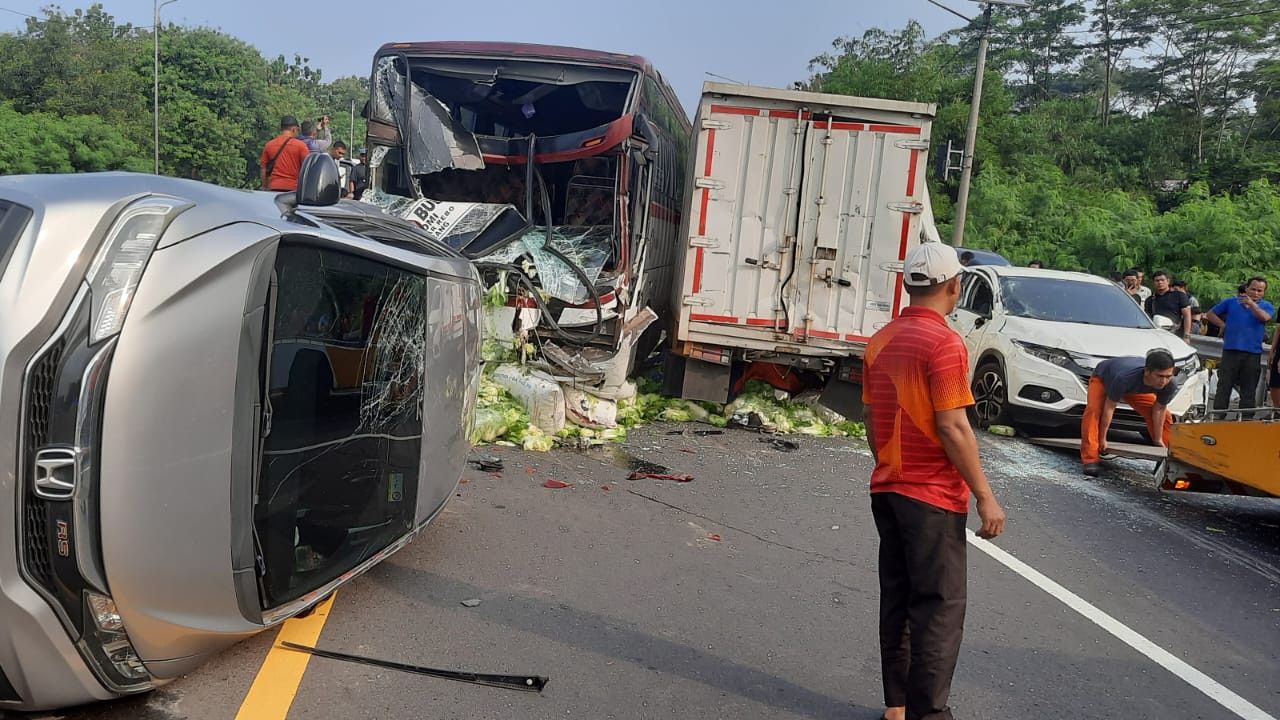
76	95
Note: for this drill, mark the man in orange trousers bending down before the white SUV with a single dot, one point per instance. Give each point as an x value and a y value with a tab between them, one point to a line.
1149	388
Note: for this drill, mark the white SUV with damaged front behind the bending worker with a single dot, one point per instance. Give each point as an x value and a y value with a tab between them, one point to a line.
1035	338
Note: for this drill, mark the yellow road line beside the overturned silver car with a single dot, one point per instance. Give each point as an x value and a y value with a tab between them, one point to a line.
272	694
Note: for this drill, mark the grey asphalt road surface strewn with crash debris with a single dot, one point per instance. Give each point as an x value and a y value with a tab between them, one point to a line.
751	593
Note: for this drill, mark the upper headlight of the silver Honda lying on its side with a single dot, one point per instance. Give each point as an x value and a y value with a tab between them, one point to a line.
118	267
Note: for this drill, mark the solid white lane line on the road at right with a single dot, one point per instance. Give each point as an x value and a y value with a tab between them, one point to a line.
1195	678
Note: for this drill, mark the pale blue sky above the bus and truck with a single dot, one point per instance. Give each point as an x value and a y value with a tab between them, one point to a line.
770	44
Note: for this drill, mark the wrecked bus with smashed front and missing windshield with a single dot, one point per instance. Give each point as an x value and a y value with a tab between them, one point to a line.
560	172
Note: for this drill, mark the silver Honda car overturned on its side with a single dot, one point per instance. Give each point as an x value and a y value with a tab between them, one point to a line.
216	408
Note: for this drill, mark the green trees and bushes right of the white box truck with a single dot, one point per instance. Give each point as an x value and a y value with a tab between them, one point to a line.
1114	134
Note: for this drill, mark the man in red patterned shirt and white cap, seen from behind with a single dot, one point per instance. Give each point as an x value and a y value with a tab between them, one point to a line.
917	390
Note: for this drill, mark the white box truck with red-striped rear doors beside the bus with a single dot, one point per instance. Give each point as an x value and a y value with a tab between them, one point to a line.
799	209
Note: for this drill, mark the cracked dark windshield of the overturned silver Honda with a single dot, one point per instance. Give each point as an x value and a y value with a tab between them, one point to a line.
340	467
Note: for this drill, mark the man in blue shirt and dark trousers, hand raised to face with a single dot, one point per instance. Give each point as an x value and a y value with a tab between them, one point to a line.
1244	323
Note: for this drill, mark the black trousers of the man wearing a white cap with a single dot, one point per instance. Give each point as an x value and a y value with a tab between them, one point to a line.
924	586
